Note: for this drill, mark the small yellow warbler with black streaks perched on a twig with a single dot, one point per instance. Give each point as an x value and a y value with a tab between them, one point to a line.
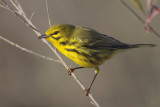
85	46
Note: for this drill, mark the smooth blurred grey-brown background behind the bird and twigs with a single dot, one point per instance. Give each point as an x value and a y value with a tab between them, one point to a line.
130	79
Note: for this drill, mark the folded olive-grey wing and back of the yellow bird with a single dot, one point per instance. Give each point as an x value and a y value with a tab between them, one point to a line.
94	40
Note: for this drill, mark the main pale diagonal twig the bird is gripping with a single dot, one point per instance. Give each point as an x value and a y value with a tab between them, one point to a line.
24	18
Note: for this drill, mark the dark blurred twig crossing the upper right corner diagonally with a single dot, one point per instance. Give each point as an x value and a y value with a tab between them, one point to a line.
139	18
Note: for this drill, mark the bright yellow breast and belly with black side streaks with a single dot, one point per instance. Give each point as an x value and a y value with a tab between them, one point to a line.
82	56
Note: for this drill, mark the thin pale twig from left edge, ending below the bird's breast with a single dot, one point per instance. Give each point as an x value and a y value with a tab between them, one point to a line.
26	50
